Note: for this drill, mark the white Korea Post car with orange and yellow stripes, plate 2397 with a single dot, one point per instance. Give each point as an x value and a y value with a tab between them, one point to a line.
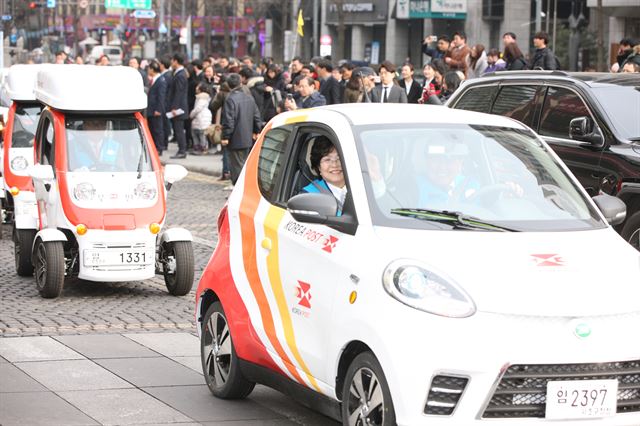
456	283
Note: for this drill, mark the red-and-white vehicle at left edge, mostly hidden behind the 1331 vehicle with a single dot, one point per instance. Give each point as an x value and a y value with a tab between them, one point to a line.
19	203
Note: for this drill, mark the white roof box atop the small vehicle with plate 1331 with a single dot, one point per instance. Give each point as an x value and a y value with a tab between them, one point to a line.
91	88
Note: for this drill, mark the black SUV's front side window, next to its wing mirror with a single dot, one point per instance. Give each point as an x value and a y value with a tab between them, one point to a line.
560	107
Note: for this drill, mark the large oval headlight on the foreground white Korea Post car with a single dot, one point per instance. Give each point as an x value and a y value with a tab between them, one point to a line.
421	288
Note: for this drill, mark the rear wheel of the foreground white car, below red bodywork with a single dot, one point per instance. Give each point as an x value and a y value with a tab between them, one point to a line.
226	381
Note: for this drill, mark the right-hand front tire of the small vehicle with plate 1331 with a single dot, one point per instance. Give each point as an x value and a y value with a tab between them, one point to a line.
180	281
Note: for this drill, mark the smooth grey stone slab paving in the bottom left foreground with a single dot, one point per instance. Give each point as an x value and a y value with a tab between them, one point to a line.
124	379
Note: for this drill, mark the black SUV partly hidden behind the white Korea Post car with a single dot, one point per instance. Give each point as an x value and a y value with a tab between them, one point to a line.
591	120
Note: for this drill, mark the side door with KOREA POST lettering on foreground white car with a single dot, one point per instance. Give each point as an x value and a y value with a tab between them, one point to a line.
309	263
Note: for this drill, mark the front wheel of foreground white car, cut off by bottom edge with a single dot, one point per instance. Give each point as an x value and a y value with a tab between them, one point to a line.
366	399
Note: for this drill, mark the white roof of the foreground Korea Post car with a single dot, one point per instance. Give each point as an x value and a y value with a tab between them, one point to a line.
376	113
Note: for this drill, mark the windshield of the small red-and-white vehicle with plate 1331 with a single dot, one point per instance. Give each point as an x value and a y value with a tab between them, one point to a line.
106	144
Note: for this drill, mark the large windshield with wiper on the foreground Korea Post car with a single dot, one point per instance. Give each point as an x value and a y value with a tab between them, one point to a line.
493	177
